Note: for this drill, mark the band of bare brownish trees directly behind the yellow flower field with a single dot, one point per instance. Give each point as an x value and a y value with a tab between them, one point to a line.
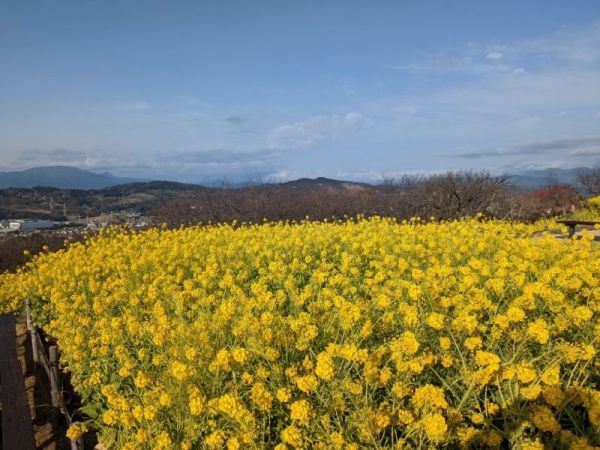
443	196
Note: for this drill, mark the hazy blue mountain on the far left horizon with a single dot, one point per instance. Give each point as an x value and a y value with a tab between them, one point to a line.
62	177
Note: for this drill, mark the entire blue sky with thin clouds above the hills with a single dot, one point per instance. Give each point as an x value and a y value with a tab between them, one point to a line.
201	90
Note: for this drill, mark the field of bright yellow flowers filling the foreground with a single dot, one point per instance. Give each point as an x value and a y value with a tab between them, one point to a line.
344	335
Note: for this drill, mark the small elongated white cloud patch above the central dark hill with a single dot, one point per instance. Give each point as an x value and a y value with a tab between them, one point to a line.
316	129
